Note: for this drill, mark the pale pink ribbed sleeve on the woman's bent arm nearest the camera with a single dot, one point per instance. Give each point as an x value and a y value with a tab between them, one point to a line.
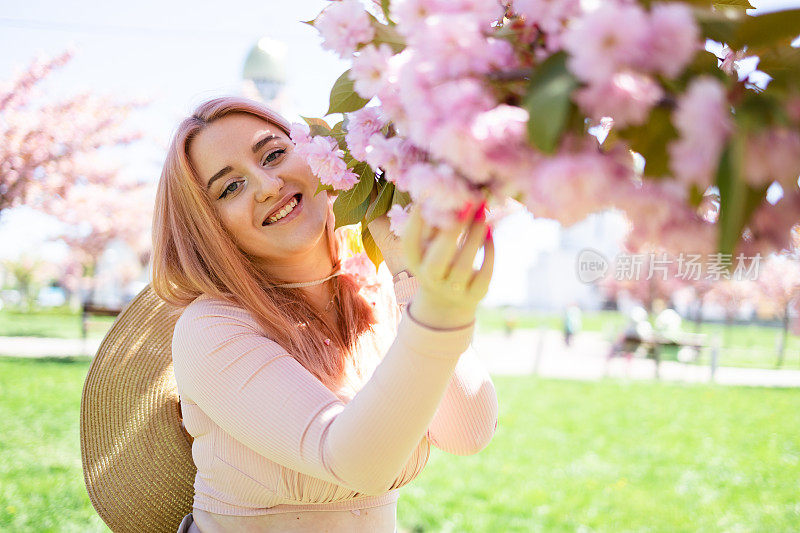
258	394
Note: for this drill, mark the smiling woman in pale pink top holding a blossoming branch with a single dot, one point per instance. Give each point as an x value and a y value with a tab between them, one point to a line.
308	406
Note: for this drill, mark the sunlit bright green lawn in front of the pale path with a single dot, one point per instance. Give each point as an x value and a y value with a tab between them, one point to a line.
568	456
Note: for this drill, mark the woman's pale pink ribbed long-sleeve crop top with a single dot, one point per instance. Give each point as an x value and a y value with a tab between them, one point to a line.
270	438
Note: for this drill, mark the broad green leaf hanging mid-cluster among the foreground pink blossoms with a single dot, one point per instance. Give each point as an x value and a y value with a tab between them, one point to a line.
547	102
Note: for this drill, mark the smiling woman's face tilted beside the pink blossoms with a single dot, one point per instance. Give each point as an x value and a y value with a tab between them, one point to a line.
251	171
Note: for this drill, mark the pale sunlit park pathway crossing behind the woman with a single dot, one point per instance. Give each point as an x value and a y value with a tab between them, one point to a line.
524	352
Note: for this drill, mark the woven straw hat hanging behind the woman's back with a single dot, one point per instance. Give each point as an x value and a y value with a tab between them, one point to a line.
137	458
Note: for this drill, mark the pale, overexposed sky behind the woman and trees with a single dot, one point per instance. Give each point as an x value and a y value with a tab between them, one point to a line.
179	53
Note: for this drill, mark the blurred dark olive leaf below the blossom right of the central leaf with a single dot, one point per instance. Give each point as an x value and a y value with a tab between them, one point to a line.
651	140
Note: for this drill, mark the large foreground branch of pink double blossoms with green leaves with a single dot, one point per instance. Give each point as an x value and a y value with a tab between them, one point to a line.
568	107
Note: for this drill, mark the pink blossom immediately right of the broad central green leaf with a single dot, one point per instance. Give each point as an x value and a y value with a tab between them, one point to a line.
627	97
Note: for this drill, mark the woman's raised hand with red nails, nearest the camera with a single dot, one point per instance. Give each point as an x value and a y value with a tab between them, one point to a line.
449	288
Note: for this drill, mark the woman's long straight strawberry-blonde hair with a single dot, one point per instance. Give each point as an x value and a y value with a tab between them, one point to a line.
193	254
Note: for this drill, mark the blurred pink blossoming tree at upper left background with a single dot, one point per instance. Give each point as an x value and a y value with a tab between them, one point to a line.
41	144
